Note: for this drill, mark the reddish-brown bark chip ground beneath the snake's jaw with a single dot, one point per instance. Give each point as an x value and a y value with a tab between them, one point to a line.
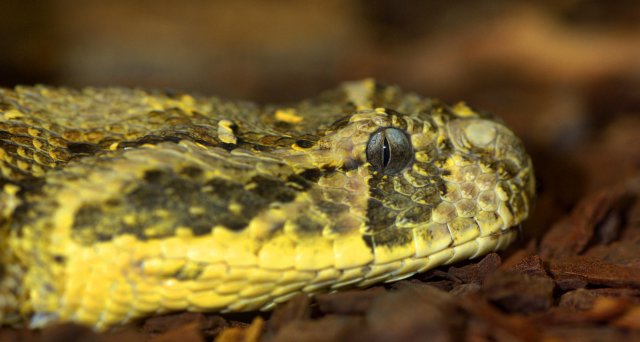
581	282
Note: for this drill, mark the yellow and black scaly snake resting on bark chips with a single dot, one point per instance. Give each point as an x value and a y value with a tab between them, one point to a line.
122	203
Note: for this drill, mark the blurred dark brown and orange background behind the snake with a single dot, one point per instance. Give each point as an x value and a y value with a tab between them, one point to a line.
564	74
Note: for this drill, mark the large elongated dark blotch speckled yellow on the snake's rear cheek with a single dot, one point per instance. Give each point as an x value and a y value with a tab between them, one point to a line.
177	193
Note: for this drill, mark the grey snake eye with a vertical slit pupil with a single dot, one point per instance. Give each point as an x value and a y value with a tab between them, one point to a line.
389	150
